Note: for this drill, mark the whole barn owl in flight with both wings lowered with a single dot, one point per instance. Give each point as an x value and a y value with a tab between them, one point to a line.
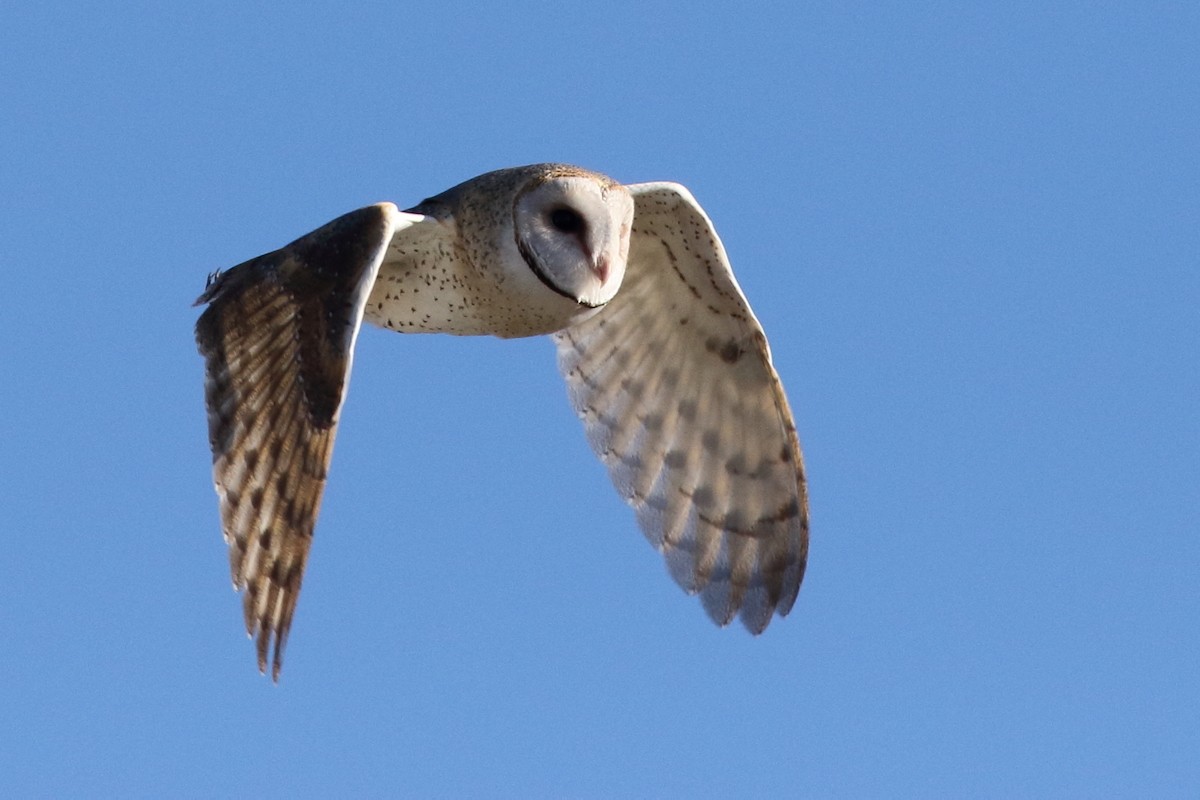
663	358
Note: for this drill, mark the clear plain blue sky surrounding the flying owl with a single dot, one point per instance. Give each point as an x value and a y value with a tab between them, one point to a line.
971	232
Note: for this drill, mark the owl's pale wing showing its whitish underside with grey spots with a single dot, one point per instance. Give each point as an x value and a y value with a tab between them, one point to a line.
679	396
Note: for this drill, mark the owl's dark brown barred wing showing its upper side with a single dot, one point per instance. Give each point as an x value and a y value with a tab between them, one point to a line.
278	341
